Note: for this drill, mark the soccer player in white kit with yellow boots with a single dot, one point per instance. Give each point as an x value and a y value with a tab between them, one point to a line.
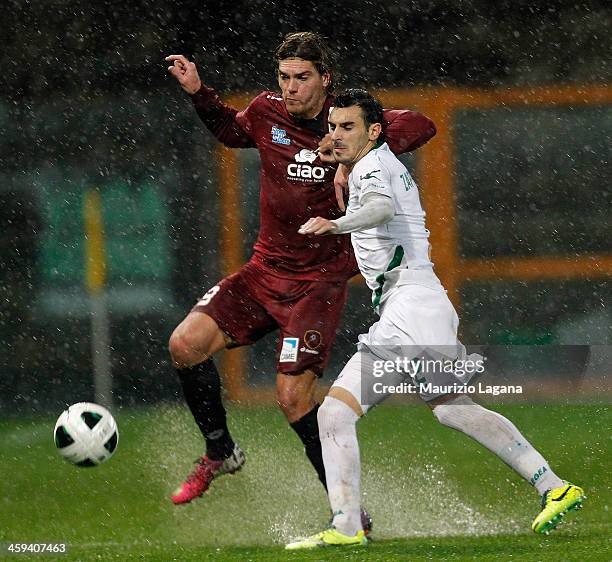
391	244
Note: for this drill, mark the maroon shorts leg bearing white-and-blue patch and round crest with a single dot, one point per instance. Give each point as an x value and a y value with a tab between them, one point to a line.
309	328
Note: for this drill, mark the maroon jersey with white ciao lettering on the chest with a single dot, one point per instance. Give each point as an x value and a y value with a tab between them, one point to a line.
294	184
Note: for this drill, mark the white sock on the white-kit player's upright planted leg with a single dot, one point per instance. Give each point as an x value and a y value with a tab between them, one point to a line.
342	465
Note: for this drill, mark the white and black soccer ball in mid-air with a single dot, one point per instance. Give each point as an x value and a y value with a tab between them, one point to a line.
86	434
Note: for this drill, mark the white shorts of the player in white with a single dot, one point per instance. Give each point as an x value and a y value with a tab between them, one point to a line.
415	321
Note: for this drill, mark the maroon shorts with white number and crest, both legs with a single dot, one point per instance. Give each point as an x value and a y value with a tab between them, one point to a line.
252	303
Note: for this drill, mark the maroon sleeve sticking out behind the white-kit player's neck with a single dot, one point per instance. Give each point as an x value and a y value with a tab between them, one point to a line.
406	130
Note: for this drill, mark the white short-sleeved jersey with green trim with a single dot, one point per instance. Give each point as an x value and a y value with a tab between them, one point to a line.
396	252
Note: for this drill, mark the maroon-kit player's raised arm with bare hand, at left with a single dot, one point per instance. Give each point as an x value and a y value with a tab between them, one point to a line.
223	121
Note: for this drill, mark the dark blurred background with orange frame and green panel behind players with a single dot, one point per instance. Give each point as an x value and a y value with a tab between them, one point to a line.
517	183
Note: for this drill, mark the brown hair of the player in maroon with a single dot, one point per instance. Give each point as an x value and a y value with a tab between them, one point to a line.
311	46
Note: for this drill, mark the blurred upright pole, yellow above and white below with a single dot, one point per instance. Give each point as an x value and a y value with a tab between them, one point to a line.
95	279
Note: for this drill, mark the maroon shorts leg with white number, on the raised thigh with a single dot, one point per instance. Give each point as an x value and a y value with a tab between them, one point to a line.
236	311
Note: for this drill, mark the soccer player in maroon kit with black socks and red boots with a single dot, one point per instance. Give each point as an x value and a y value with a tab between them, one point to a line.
292	283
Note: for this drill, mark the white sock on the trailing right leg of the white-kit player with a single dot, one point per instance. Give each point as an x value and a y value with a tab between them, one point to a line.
500	436
